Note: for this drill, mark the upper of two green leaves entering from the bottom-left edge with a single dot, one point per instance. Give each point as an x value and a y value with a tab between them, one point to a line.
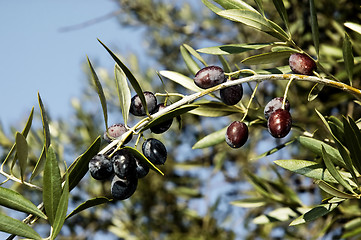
14	200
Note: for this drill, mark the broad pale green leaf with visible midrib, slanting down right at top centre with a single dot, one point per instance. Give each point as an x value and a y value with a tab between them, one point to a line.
253	19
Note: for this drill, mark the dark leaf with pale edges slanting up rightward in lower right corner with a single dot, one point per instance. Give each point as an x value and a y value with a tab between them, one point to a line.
314	213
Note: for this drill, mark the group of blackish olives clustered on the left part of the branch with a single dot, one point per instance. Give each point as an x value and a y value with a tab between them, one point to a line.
122	167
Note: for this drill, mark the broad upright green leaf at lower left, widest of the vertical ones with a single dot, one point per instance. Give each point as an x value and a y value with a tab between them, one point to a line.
51	185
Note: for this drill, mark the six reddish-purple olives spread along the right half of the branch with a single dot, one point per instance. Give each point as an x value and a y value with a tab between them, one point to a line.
279	120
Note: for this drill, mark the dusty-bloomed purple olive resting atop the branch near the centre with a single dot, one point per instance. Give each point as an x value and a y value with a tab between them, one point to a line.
209	77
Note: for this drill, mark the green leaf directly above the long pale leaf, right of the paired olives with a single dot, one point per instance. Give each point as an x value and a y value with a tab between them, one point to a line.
315	146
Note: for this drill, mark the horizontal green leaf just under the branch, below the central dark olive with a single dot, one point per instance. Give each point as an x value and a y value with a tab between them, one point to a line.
214	109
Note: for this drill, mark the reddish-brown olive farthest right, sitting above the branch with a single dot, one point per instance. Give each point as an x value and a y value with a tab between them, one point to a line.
300	63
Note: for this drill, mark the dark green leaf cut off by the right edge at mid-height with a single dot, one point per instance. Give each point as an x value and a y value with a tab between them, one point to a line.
353	141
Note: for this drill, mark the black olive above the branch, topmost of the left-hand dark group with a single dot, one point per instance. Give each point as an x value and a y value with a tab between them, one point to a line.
137	108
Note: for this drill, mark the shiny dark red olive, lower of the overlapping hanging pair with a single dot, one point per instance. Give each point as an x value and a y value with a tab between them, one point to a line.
279	123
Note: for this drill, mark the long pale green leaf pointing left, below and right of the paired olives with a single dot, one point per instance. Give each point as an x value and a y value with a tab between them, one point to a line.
309	169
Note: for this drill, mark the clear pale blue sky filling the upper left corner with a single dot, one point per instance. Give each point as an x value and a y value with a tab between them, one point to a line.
35	55
